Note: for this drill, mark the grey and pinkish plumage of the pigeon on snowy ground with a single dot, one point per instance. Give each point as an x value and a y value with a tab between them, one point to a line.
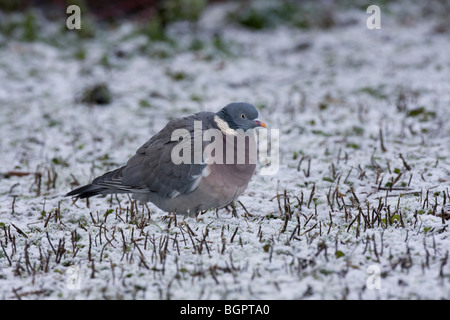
151	175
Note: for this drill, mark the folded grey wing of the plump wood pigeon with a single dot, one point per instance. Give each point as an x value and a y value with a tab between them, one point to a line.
152	168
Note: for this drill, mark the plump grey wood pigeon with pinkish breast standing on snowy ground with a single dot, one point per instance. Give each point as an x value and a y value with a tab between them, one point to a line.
197	183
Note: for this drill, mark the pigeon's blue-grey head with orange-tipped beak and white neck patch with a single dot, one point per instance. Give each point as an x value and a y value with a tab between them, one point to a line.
238	115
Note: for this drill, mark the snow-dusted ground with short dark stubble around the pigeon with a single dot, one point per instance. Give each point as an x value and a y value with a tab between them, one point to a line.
359	208
